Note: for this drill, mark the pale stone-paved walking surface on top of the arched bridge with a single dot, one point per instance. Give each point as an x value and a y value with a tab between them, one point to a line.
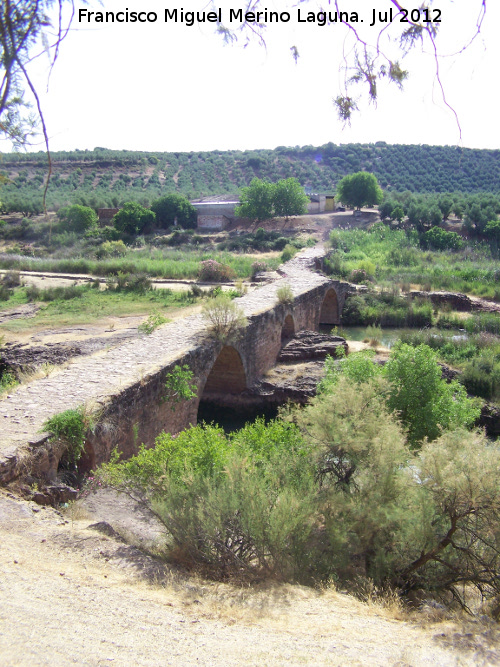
93	380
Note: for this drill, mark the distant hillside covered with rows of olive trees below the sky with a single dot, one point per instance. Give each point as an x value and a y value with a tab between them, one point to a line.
105	177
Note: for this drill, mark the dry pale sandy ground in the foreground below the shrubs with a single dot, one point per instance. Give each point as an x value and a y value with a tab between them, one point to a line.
73	594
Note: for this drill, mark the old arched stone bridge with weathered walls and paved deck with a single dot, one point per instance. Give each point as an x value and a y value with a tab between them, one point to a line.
125	386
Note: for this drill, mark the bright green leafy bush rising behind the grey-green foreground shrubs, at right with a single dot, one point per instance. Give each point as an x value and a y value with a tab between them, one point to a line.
422	399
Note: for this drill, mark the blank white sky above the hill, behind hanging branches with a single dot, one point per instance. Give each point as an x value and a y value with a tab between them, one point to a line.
165	86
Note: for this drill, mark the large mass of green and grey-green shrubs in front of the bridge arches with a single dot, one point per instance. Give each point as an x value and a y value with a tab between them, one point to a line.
355	487
